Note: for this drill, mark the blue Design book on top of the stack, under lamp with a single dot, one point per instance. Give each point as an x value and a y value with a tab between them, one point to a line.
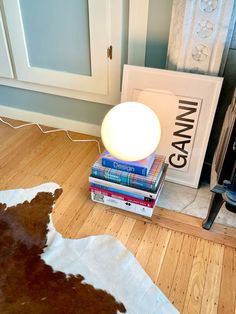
141	167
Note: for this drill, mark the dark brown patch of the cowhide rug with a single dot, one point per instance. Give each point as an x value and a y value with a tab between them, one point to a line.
27	284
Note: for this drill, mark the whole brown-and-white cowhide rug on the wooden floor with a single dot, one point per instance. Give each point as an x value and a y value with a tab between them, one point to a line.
41	272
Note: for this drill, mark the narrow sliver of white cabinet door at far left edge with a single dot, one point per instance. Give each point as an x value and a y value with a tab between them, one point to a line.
5	61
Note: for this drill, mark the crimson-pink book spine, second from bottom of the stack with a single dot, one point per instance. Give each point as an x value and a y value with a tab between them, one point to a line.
122	197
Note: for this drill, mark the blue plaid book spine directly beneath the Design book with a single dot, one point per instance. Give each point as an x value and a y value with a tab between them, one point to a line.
123	179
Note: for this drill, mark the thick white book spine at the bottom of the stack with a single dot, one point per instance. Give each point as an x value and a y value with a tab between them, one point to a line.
128	206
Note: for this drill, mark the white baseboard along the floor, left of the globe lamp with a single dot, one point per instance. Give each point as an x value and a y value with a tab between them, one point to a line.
51	121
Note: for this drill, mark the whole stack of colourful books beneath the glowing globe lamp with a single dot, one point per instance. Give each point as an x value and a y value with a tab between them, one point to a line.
131	186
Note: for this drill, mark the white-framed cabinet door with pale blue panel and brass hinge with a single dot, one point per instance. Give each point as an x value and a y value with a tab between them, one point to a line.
60	43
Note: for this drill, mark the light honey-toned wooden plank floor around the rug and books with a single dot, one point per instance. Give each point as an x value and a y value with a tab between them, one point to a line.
195	268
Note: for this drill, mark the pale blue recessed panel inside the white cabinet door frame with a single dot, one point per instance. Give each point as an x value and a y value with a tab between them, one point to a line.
54	32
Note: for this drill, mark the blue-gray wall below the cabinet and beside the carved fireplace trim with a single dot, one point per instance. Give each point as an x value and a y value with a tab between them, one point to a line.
157	40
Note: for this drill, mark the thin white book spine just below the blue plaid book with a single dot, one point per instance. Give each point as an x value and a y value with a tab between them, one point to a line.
126	188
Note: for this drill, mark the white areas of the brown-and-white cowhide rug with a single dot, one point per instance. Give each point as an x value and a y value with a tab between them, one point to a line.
102	260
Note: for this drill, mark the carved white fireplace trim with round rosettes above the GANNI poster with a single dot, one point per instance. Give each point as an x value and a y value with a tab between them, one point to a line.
198	35
